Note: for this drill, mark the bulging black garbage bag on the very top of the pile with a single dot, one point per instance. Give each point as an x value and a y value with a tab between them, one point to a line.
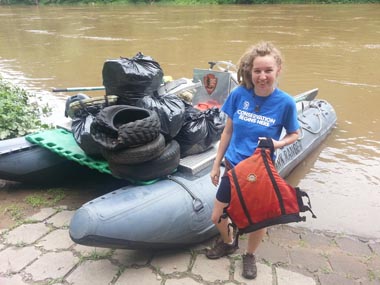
132	78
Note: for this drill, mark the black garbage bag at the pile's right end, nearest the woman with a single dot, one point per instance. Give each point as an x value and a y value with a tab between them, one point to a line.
200	130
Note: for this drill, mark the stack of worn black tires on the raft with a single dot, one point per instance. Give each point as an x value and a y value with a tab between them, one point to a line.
132	143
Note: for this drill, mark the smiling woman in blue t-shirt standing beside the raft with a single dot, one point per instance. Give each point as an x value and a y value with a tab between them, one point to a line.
256	109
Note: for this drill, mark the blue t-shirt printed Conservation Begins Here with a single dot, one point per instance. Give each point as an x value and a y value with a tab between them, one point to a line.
277	111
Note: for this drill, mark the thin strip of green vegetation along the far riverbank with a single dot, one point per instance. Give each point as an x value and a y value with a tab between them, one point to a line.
179	2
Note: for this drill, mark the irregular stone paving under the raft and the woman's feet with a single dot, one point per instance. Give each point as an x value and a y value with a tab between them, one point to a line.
40	251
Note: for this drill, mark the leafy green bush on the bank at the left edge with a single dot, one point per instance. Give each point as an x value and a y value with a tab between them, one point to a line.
20	112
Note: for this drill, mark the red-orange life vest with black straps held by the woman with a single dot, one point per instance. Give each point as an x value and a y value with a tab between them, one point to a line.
260	197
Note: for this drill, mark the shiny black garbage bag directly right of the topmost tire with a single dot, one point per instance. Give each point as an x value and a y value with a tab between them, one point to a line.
170	109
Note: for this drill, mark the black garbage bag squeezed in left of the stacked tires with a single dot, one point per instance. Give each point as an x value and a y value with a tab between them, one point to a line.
80	128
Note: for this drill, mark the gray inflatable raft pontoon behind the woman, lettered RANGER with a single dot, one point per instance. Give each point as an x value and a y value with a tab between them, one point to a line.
175	212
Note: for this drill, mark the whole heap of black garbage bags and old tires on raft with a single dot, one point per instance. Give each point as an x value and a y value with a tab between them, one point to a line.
141	133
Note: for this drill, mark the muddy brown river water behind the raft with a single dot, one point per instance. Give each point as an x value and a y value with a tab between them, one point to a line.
333	48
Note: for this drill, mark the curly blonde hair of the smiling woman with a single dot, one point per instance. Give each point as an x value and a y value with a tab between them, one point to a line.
245	64
